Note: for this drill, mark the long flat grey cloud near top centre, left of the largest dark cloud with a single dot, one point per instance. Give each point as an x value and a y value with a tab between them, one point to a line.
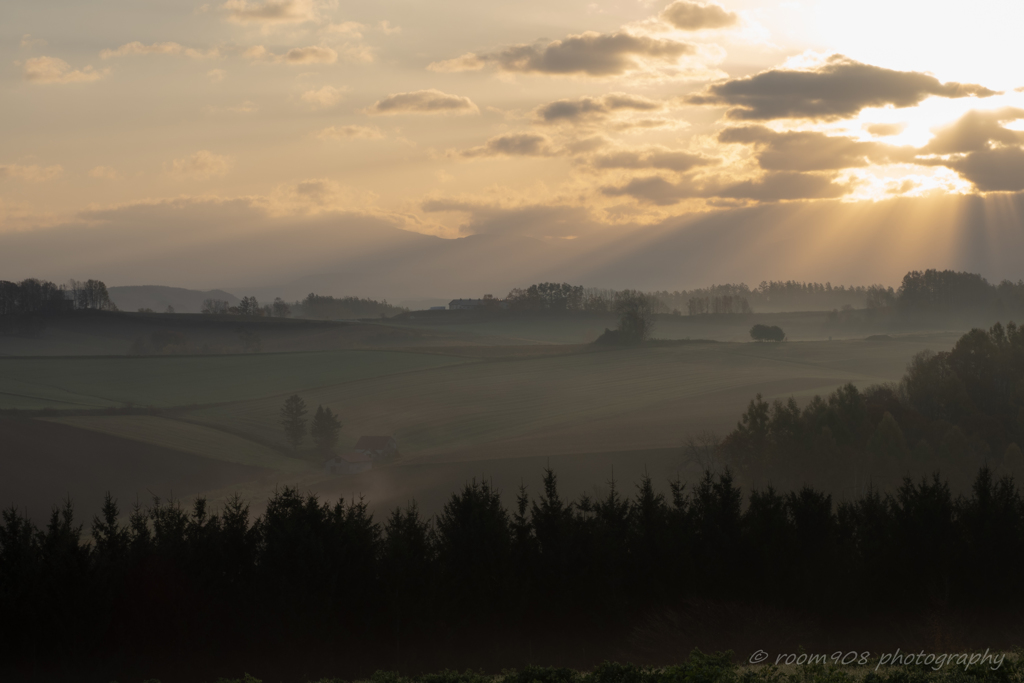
590	55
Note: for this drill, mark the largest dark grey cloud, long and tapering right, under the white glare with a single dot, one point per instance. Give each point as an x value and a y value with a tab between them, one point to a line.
838	89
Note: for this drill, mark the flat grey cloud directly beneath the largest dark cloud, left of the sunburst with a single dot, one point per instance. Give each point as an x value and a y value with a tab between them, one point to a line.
797	151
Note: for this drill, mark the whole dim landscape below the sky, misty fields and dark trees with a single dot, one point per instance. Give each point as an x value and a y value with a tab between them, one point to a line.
541	482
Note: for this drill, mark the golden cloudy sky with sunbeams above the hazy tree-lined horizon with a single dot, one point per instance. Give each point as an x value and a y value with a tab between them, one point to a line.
261	144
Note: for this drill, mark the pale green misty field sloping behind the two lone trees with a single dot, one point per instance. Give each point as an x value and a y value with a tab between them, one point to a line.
609	401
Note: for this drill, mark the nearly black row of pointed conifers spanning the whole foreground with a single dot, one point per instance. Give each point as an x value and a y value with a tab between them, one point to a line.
309	573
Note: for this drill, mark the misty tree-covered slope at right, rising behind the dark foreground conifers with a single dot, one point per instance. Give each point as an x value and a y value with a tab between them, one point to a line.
954	412
